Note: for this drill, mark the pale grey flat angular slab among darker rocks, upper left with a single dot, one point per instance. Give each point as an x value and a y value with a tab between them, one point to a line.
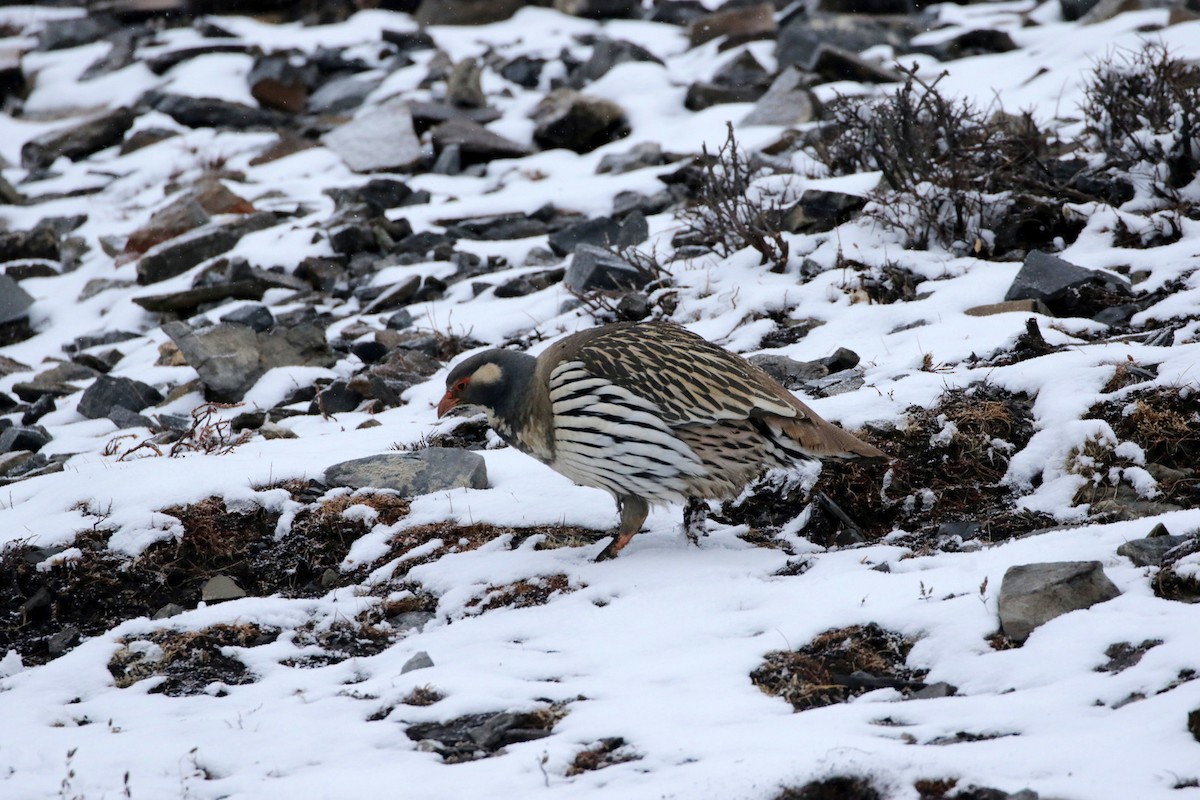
380	140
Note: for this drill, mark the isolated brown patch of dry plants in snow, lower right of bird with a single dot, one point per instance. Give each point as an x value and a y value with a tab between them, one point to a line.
824	672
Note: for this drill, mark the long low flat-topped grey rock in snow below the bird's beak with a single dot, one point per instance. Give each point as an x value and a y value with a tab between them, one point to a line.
435	470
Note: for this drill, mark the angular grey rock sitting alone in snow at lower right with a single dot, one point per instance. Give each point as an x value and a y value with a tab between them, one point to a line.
1035	594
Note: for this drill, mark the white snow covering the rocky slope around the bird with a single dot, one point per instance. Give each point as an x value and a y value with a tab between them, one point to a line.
657	646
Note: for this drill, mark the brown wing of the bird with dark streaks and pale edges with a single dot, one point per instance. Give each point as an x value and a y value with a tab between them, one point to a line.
691	381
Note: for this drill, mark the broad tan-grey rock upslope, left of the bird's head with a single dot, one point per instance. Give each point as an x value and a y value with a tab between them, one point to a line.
231	359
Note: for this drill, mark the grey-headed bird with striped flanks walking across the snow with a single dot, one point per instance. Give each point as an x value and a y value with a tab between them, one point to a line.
651	413
